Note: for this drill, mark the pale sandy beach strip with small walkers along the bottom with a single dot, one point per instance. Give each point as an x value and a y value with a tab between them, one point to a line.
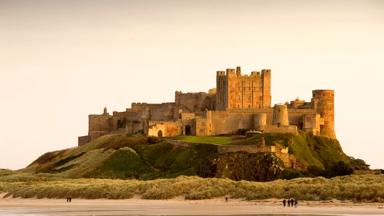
136	206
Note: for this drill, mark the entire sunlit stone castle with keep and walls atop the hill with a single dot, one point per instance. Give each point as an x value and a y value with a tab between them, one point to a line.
239	102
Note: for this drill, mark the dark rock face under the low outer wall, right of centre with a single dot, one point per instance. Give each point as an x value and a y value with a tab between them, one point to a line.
249	166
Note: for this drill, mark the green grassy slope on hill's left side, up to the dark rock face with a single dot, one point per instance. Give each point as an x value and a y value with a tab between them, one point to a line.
125	157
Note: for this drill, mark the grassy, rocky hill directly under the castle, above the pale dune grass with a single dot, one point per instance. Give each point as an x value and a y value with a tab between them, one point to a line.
138	157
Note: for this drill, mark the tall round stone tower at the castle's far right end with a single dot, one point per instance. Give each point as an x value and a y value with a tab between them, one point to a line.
323	103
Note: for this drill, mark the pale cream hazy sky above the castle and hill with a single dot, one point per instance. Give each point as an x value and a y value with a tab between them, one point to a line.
62	60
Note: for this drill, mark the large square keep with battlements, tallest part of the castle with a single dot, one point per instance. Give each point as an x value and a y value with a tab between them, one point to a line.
237	91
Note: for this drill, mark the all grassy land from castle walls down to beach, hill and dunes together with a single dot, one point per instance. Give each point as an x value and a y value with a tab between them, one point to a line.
113	165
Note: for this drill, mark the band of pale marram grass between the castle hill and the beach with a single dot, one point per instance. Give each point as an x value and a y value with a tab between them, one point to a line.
365	188
